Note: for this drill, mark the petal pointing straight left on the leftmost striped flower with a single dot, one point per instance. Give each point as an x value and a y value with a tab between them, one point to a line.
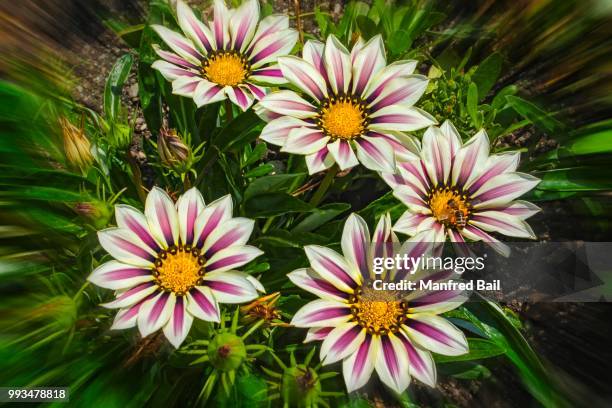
116	275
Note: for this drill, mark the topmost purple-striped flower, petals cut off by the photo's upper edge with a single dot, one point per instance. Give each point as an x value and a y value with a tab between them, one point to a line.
229	58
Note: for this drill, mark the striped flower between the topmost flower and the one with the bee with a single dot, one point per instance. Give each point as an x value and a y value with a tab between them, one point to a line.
352	100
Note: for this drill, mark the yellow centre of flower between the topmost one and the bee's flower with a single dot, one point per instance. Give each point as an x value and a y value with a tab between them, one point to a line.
343	118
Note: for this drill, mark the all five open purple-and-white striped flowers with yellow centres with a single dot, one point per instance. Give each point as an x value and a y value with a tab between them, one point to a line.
178	261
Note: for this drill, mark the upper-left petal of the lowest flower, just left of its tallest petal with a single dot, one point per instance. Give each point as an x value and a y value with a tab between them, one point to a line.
332	267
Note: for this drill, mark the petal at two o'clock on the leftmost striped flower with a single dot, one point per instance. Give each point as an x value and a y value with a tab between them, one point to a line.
233	232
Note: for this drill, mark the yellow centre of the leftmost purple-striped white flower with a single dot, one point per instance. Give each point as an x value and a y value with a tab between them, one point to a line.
179	269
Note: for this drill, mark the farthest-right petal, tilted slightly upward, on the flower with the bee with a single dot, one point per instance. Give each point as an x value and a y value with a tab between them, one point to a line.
503	189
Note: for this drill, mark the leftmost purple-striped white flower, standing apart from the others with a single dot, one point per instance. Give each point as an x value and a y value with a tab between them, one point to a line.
175	262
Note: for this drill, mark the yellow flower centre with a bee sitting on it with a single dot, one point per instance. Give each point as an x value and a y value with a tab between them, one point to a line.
449	207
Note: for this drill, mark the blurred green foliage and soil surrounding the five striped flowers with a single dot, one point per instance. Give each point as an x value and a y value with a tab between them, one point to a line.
535	74
